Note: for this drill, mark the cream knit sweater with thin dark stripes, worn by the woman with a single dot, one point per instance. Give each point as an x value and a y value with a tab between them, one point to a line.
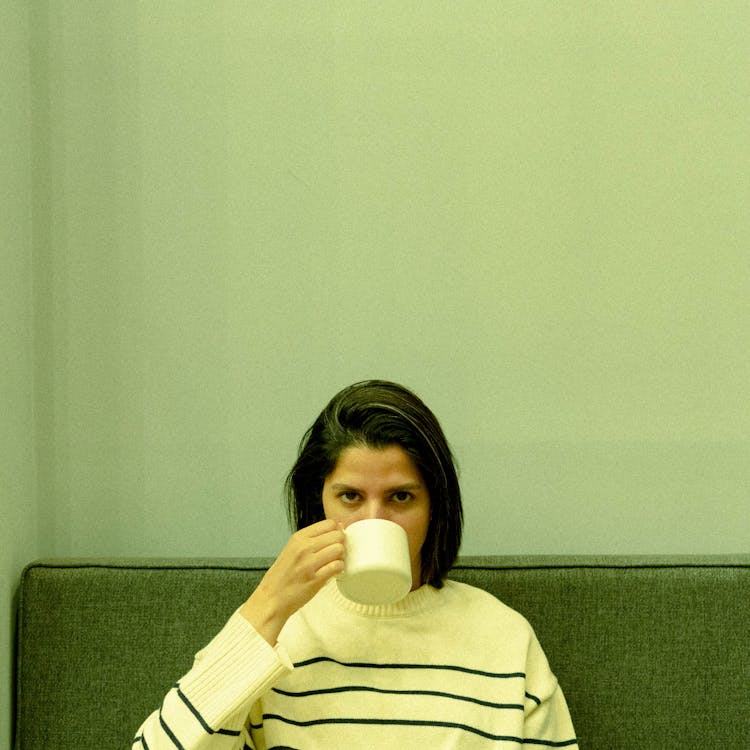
448	668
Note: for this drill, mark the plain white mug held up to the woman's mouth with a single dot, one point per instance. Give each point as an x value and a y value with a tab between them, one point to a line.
377	567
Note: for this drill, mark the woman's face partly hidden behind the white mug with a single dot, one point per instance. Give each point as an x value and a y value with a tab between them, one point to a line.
380	483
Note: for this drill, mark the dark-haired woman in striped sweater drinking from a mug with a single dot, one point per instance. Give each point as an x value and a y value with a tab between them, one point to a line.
300	666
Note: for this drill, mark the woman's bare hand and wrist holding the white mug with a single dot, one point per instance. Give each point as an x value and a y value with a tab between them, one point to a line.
311	557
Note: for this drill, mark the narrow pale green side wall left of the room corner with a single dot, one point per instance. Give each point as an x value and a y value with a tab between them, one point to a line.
18	510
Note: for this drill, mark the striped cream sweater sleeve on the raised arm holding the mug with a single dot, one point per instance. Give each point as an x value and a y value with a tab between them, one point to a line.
208	708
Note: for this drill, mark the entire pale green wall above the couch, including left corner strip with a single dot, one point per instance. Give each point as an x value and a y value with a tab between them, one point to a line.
535	214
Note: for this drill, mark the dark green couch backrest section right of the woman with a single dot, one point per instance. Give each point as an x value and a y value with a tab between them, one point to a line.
651	652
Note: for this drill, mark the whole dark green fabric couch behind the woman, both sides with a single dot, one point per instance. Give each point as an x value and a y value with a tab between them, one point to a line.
653	653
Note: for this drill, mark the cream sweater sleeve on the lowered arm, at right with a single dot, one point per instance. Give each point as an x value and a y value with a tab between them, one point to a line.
546	717
